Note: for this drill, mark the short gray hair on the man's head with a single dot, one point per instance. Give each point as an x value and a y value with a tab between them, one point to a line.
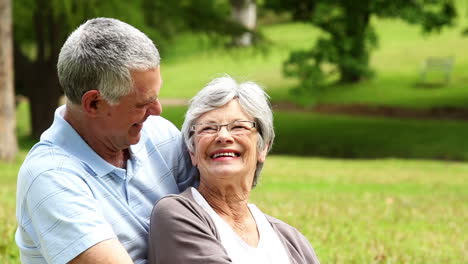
100	55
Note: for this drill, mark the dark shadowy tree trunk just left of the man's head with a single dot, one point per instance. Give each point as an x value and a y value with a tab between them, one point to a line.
41	84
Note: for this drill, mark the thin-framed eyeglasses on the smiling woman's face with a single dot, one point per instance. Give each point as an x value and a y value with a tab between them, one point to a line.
240	127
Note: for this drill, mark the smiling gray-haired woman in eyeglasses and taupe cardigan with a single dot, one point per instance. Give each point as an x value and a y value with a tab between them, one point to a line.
228	130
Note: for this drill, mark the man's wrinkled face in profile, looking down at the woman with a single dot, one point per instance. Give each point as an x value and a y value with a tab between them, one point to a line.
123	122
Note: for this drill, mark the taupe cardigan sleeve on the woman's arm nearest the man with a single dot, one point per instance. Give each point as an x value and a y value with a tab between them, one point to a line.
180	233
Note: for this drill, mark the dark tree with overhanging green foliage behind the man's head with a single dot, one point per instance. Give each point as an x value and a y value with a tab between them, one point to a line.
41	27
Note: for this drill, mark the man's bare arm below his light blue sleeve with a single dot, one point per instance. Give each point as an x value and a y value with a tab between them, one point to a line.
107	251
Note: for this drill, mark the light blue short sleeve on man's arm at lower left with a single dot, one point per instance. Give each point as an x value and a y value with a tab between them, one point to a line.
61	217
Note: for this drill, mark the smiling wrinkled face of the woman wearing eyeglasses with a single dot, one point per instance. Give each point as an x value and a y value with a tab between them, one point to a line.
222	156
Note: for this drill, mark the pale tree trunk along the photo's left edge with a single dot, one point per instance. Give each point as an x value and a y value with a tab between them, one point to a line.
8	141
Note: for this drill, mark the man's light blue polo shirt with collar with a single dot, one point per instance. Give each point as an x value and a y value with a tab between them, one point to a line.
69	198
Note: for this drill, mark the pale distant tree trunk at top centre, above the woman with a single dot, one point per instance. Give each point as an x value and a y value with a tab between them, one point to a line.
244	12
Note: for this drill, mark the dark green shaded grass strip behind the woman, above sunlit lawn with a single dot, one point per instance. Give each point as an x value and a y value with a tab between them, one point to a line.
361	137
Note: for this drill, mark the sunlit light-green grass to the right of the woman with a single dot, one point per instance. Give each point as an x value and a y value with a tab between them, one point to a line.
371	211
